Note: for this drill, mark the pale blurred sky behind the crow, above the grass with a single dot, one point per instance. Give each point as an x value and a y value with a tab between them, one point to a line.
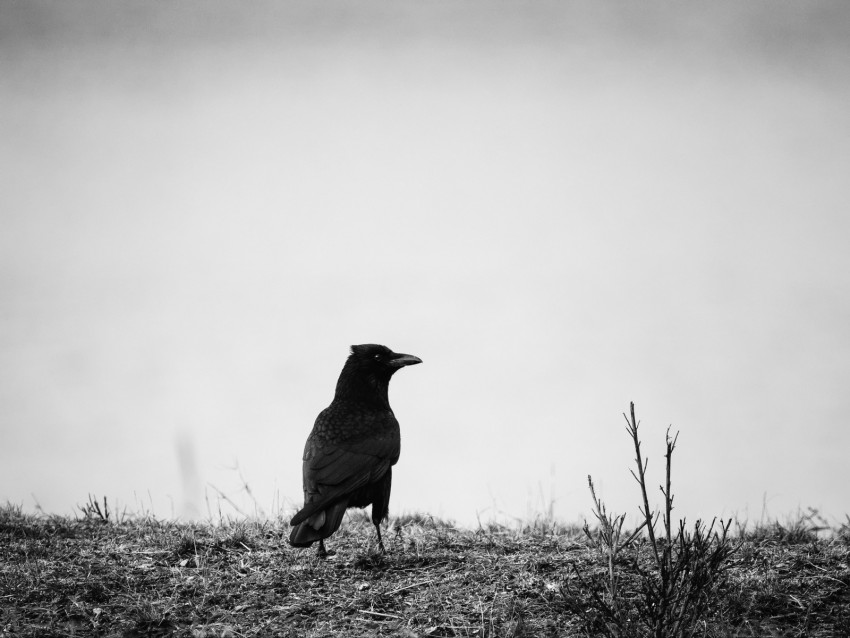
561	207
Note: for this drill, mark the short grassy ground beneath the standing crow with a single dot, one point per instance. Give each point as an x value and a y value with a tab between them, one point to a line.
95	576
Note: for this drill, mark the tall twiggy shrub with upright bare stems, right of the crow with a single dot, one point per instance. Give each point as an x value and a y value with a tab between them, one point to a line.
678	572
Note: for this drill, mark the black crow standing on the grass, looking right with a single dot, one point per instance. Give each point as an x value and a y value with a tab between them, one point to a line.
349	455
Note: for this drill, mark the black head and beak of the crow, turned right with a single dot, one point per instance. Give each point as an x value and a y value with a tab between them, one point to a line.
369	368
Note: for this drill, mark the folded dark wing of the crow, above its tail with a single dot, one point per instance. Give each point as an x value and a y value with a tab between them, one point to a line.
334	470
